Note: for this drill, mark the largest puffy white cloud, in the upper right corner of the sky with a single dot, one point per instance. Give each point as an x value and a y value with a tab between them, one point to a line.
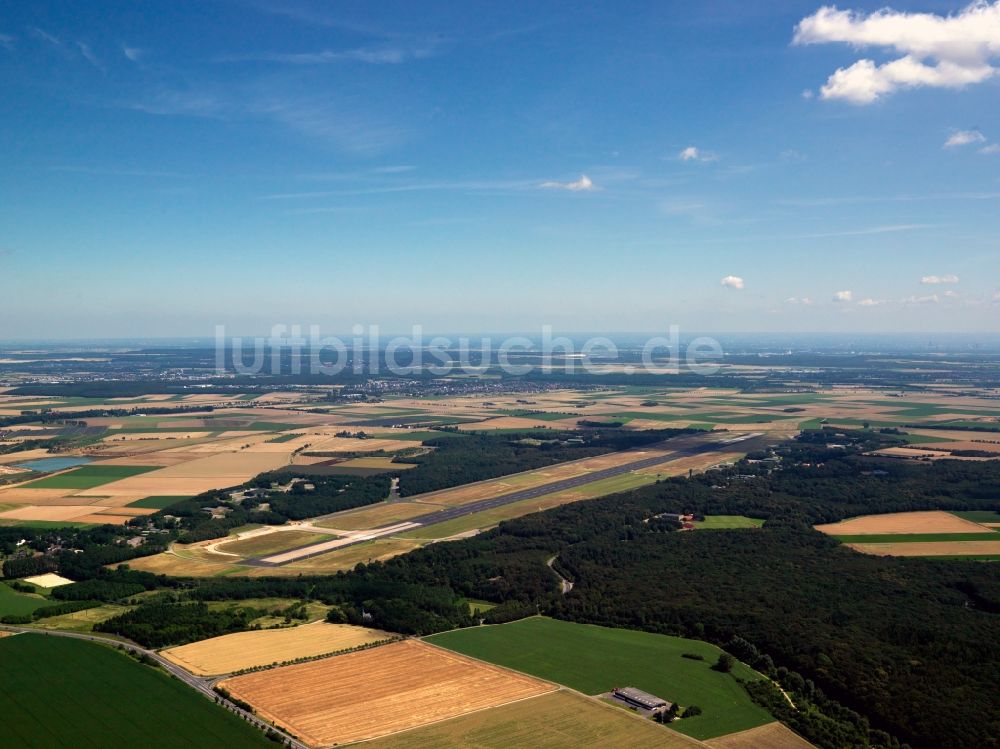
938	51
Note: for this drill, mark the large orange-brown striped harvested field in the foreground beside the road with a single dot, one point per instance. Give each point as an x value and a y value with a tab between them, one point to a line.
377	692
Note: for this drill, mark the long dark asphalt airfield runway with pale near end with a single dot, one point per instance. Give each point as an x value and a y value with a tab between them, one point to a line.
450	513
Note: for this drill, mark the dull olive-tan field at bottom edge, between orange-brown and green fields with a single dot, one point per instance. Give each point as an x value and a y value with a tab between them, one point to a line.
560	720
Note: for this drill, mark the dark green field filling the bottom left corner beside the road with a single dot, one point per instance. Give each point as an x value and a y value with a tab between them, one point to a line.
60	692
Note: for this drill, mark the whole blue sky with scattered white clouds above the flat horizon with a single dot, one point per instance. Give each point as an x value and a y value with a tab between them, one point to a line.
599	166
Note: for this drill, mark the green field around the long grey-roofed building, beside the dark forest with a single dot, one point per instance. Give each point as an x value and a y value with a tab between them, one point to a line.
593	660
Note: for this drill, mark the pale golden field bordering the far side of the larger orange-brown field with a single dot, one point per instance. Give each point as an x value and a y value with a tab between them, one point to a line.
240	650
